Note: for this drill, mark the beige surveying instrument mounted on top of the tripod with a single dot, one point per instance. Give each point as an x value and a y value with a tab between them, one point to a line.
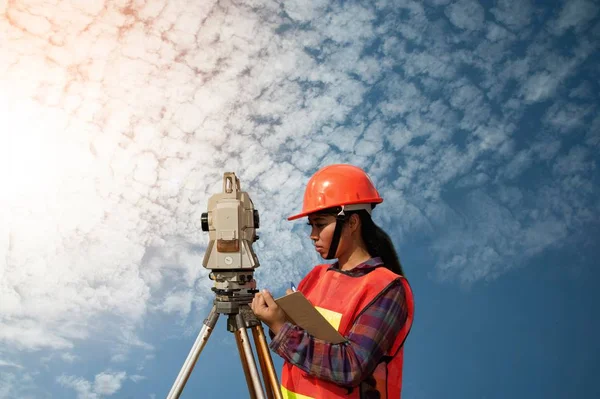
231	222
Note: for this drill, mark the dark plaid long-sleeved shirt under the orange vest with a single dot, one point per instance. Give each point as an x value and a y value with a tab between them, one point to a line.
371	336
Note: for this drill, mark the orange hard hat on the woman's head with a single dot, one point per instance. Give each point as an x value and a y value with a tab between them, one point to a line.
337	185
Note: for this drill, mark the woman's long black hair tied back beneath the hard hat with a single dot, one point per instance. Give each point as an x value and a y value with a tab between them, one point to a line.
378	242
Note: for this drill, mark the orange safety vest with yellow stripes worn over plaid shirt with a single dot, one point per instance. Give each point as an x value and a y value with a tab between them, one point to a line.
341	298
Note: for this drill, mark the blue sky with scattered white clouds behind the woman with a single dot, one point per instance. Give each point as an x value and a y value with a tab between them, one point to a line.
478	121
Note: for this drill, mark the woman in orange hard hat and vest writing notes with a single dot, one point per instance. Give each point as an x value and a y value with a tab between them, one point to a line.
364	295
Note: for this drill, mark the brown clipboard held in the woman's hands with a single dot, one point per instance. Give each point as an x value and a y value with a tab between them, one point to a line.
301	312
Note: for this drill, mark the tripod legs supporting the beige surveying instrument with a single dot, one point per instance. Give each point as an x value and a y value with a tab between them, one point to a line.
240	317
